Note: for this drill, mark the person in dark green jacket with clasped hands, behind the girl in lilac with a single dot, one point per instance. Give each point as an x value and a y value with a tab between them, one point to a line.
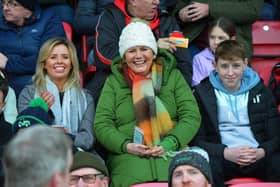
195	15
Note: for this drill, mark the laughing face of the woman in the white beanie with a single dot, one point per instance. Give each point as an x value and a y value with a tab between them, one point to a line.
139	59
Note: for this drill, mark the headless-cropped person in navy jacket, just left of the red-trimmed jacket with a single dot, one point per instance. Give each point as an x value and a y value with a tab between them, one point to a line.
85	20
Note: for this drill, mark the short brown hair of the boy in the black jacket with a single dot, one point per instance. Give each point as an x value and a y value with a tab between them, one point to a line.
229	50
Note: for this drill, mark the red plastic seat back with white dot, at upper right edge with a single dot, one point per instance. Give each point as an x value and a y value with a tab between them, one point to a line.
266	38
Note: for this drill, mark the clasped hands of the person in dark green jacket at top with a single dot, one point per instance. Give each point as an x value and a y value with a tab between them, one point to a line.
194	12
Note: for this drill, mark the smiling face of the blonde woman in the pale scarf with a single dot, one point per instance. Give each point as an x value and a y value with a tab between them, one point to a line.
58	64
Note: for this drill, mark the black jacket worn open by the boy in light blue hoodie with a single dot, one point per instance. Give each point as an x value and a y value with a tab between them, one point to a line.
263	116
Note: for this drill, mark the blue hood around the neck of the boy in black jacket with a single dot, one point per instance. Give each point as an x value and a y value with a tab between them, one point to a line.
249	80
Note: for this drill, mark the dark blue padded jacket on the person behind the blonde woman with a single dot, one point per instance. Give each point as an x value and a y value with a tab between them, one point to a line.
21	44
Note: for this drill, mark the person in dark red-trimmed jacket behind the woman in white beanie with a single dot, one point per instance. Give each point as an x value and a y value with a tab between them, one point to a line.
115	18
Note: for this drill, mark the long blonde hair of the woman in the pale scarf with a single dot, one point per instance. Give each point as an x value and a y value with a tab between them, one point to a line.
39	78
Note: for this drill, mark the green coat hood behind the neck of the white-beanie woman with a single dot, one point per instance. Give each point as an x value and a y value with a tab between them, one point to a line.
168	60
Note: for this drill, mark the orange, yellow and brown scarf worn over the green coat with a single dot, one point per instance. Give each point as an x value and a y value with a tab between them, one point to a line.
151	115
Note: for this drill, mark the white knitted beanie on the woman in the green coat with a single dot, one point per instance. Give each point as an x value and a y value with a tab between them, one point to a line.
137	34
